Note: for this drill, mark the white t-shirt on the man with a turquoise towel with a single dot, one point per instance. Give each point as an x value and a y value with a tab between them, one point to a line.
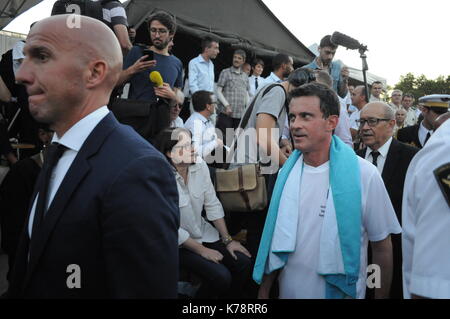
299	278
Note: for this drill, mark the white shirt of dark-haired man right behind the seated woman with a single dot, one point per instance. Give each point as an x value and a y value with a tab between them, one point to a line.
203	132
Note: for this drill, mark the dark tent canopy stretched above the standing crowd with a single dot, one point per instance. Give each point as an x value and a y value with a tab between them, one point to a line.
248	25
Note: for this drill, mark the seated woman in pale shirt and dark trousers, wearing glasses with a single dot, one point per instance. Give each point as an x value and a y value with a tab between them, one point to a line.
205	250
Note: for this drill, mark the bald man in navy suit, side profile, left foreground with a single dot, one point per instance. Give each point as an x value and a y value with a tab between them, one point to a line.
104	218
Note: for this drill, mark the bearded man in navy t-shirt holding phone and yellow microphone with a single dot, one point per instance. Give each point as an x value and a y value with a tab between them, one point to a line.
137	69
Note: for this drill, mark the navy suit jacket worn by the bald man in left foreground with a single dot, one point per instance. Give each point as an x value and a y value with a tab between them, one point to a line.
115	215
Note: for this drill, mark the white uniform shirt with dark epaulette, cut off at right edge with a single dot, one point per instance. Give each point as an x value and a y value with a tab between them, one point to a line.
426	222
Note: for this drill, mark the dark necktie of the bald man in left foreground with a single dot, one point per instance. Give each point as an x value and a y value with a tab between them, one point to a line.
51	157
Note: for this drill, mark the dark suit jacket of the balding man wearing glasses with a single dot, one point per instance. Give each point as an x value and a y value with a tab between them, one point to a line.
394	172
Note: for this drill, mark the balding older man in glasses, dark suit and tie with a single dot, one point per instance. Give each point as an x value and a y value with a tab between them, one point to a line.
392	158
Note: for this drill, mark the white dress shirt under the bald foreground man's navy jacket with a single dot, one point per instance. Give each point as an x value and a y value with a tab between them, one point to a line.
73	139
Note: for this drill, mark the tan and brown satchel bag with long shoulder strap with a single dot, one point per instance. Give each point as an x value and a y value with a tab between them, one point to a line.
242	189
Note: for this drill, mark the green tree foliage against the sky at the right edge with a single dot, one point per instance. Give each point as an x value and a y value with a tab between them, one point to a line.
420	86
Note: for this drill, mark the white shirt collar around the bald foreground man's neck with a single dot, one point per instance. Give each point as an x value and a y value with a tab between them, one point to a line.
79	132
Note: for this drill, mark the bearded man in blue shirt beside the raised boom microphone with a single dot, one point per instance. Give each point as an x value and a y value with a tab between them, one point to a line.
324	61
